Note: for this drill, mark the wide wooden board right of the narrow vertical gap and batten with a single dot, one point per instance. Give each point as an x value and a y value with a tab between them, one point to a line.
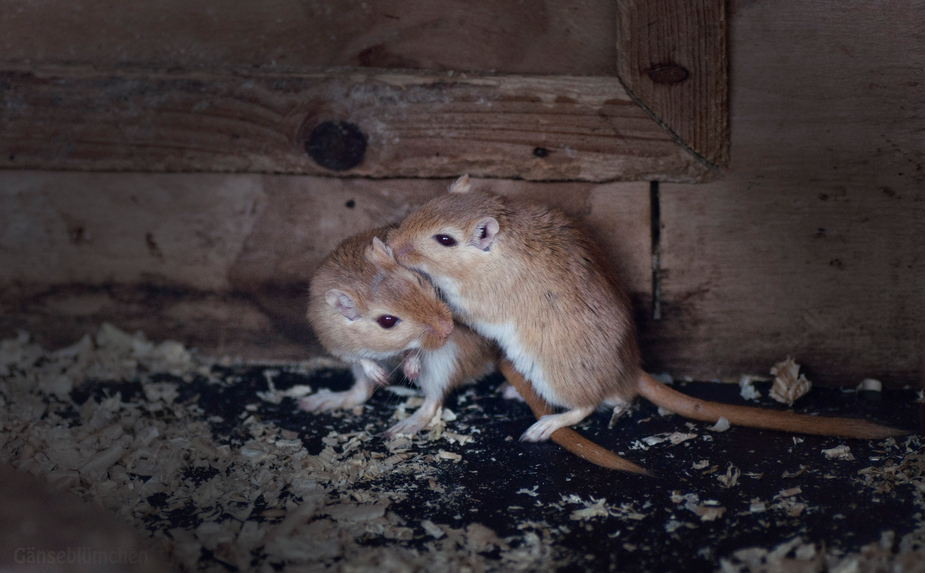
813	244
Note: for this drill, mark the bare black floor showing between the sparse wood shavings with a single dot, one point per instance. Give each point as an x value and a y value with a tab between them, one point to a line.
644	524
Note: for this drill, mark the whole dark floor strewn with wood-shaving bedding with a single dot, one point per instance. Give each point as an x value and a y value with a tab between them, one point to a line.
213	464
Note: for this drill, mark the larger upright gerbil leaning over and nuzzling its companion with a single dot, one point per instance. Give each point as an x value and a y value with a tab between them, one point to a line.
525	276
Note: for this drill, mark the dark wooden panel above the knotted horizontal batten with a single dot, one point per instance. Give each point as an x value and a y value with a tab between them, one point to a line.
554	37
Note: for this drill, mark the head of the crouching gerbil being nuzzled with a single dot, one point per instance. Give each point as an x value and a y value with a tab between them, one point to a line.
378	308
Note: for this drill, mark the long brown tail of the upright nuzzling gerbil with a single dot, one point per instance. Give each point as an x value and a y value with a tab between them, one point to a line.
665	397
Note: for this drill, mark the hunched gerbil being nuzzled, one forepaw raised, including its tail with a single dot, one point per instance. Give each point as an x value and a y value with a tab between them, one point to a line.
368	310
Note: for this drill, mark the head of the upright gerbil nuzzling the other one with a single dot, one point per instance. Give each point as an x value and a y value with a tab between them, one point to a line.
450	237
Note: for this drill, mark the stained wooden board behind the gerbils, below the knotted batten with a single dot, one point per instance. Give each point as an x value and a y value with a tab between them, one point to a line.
222	262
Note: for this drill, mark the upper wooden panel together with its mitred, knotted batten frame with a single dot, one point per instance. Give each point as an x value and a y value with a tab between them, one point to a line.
394	89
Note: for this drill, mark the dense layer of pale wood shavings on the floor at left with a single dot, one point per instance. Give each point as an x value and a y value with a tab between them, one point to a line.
265	498
